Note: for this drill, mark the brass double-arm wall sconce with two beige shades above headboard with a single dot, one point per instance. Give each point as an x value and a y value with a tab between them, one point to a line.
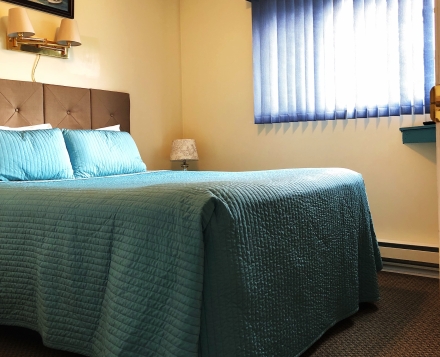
20	32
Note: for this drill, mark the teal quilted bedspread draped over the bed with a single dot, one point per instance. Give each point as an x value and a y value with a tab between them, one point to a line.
186	263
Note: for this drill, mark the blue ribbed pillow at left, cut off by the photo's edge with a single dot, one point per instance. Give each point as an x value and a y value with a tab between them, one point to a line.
34	155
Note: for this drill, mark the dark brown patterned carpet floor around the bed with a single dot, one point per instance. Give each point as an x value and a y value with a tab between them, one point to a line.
404	323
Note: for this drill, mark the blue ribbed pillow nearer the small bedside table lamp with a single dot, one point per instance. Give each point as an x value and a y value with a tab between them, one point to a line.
102	153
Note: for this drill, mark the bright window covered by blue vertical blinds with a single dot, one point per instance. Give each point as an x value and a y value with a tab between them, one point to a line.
341	59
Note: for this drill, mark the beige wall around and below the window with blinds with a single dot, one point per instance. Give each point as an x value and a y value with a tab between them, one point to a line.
217	111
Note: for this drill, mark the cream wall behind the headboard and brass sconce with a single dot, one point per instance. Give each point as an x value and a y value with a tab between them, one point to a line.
131	46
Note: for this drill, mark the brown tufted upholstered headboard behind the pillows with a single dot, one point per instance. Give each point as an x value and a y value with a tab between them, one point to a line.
29	103
